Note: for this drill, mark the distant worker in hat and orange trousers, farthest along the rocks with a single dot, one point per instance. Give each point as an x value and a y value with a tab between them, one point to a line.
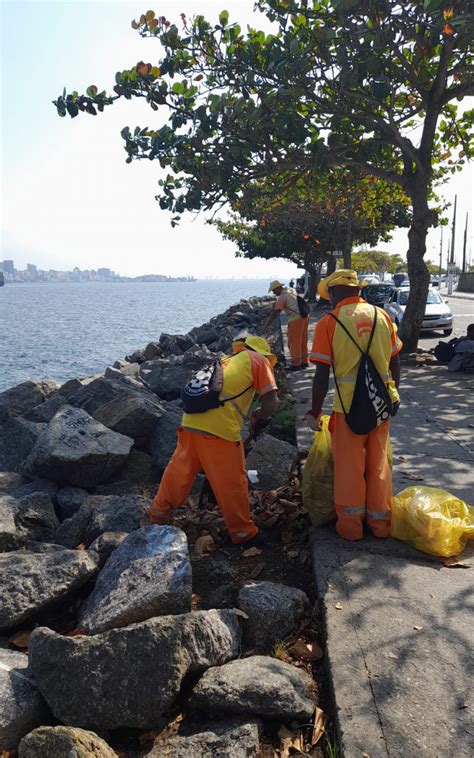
297	324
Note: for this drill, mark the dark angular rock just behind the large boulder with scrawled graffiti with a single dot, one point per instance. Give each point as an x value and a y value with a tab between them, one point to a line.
131	413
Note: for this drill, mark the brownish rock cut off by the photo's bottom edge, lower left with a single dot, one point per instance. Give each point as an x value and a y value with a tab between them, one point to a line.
63	742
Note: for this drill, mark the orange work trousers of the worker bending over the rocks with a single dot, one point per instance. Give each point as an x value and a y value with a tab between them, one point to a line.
223	462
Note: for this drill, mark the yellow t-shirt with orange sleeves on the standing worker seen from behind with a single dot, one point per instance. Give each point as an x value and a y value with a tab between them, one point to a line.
331	345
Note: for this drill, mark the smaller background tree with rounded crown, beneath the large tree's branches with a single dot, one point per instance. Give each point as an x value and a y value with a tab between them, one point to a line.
304	219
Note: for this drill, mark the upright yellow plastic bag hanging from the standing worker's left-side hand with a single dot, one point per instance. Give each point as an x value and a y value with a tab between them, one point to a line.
318	477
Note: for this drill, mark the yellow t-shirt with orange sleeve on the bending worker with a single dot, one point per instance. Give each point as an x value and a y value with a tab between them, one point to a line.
247	369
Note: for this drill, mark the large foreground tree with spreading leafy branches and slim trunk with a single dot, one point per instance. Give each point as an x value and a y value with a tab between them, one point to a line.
356	83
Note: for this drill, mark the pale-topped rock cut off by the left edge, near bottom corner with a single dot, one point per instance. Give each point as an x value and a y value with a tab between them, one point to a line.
21	706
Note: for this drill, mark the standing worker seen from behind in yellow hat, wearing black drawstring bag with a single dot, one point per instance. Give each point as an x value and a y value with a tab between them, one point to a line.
362	475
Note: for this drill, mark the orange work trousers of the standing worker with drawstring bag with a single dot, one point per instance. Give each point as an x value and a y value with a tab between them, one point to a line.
362	479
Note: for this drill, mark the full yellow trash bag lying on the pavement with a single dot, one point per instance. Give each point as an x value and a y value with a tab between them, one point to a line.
432	520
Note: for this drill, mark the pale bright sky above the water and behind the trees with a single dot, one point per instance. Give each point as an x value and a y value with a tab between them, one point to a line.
68	197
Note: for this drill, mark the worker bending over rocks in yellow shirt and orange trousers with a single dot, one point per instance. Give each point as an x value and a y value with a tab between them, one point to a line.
212	441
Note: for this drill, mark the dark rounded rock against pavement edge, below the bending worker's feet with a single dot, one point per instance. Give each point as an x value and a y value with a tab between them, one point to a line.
274	611
